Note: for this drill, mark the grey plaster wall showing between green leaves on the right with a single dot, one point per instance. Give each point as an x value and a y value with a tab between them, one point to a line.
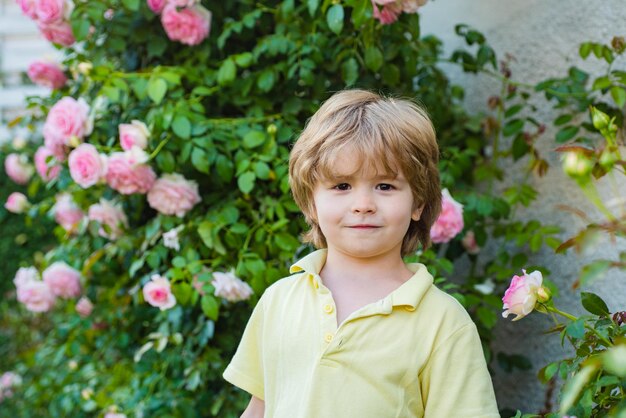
544	37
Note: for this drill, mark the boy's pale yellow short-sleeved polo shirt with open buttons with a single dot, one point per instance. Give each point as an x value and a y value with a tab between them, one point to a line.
414	353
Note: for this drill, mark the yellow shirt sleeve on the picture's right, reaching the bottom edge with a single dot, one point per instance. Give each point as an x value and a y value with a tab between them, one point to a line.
455	381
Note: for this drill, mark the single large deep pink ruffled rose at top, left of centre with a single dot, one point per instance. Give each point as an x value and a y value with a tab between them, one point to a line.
189	25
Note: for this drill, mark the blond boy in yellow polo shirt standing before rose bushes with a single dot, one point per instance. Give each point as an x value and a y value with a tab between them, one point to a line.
357	333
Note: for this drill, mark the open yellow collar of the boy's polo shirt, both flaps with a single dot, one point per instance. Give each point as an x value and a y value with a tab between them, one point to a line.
409	294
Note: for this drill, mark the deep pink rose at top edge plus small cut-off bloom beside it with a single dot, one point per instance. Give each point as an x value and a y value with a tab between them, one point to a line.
185	21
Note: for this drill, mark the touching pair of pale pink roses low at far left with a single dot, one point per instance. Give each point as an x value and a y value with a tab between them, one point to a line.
59	280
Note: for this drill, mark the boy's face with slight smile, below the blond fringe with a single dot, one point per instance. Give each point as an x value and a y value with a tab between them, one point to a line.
363	214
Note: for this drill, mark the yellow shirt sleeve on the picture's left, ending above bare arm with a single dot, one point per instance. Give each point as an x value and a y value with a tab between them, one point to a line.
246	368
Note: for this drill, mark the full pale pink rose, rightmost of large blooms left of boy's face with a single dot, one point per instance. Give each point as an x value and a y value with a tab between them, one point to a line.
172	194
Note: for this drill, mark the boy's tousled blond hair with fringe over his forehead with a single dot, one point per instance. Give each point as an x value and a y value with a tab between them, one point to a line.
385	133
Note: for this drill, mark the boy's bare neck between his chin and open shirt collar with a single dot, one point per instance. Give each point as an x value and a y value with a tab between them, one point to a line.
387	267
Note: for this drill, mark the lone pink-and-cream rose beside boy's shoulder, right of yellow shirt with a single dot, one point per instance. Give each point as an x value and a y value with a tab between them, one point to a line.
521	296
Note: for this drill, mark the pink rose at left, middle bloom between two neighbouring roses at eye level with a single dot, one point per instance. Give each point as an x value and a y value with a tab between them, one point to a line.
128	174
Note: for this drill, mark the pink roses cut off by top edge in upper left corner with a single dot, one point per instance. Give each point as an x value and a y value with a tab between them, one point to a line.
52	18
